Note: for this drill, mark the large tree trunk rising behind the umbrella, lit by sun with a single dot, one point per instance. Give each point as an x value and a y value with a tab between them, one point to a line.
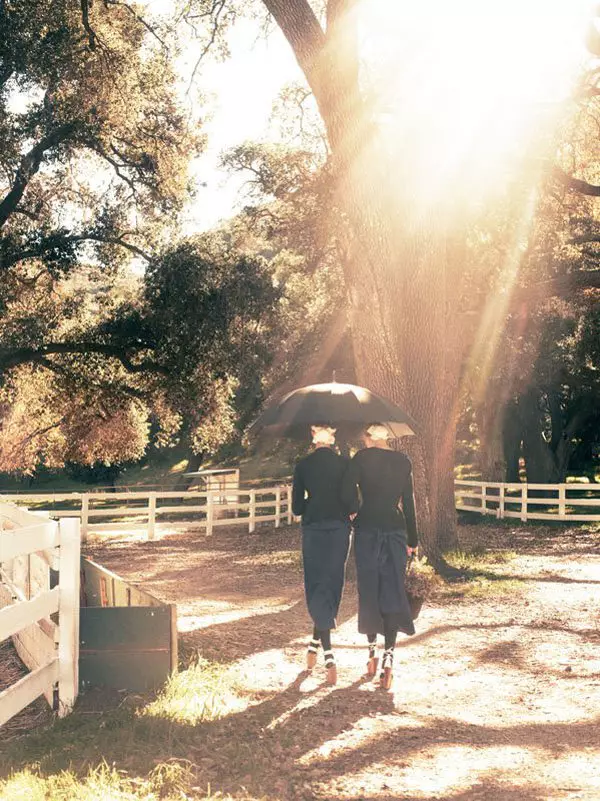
403	299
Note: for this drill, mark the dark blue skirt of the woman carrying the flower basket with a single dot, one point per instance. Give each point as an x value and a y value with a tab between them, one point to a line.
380	569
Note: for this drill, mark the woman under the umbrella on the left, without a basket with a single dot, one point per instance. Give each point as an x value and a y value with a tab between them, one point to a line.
316	495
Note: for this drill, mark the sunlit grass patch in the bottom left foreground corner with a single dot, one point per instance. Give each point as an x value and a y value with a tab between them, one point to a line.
139	751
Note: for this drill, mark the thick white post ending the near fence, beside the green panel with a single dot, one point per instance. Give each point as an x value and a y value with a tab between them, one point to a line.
68	614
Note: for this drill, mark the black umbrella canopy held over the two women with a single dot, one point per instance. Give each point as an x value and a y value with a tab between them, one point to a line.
345	406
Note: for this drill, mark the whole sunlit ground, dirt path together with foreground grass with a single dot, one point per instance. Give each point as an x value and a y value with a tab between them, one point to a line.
496	697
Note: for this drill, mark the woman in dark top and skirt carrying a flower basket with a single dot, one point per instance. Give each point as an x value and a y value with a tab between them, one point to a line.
384	537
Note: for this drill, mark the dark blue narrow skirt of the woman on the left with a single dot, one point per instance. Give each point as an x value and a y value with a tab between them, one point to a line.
324	552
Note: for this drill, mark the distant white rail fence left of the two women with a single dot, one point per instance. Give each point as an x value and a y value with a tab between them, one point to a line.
105	511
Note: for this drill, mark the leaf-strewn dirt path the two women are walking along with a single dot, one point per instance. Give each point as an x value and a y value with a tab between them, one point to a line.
496	697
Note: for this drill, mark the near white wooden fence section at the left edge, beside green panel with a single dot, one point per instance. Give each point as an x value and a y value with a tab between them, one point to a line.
30	545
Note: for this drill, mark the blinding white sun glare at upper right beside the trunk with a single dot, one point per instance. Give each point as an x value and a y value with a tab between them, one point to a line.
467	88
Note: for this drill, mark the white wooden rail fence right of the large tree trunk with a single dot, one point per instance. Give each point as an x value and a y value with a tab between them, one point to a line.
573	502
